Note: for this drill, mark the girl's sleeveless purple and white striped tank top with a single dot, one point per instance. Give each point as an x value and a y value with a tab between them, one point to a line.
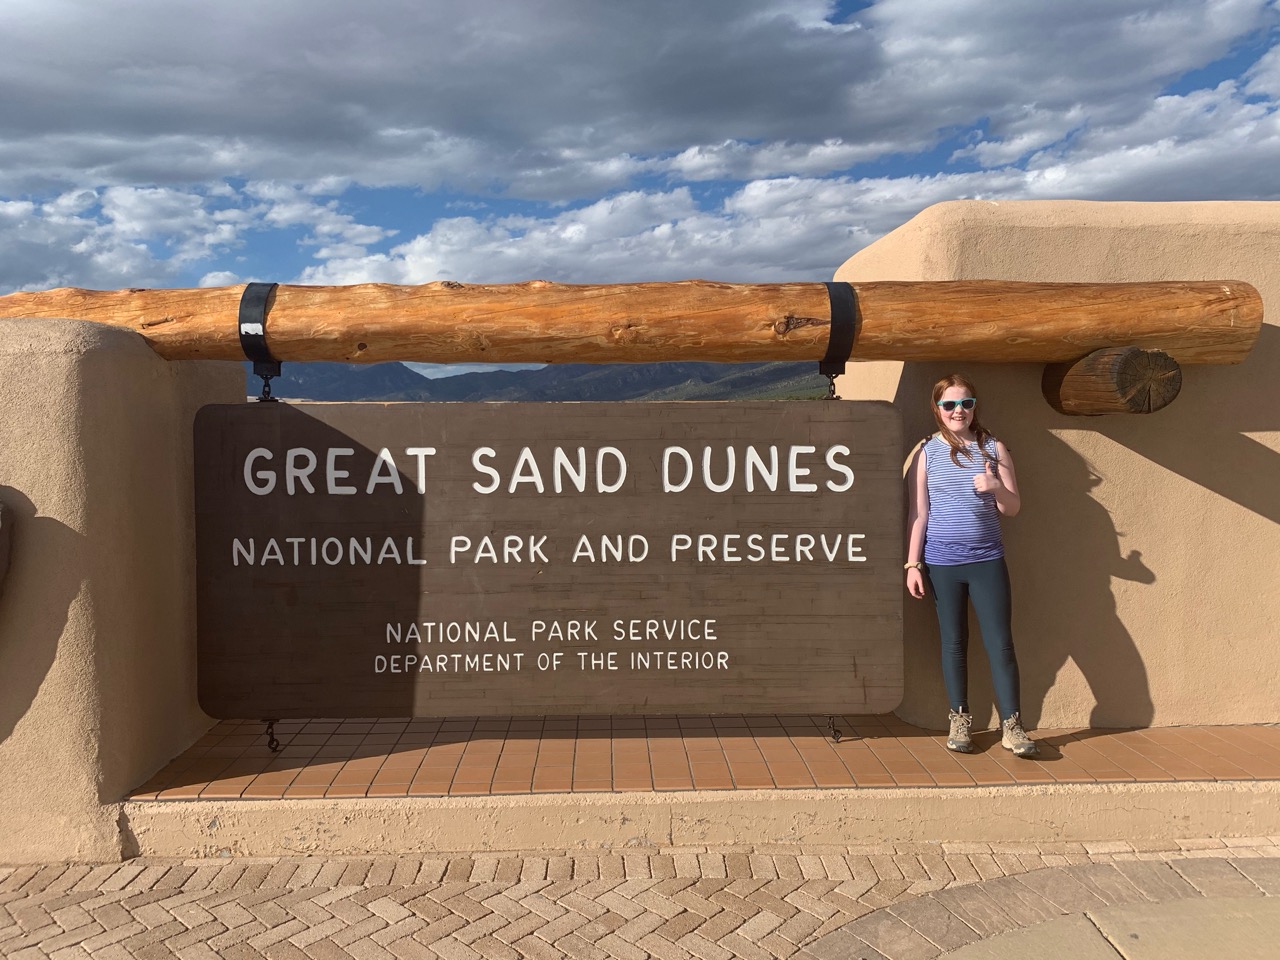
964	525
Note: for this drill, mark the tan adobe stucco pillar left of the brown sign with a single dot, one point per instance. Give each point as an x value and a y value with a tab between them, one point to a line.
98	684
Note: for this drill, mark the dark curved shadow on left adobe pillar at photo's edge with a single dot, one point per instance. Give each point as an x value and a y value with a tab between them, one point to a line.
42	584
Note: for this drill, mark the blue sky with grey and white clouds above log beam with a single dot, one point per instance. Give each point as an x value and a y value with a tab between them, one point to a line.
181	145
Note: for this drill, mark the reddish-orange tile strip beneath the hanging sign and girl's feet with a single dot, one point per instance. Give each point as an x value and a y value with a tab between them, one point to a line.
500	756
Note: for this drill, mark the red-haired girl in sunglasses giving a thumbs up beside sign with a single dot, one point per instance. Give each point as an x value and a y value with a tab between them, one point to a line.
961	481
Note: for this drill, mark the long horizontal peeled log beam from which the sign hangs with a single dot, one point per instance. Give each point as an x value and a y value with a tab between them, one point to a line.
552	323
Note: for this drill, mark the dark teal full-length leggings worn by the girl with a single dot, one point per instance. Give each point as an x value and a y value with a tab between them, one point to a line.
988	587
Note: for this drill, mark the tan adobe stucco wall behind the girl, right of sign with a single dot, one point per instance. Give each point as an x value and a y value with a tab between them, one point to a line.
1146	560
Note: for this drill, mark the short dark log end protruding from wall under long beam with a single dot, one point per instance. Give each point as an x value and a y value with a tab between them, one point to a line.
1113	381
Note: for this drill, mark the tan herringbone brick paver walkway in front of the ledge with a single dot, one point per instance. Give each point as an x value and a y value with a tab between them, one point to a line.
894	903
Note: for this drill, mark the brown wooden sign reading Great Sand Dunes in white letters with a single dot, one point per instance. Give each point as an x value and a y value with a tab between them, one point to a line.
363	560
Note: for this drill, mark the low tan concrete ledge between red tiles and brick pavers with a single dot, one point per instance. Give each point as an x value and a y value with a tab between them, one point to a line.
1071	812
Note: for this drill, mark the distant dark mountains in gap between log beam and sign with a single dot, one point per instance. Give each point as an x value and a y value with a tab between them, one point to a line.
557	382
